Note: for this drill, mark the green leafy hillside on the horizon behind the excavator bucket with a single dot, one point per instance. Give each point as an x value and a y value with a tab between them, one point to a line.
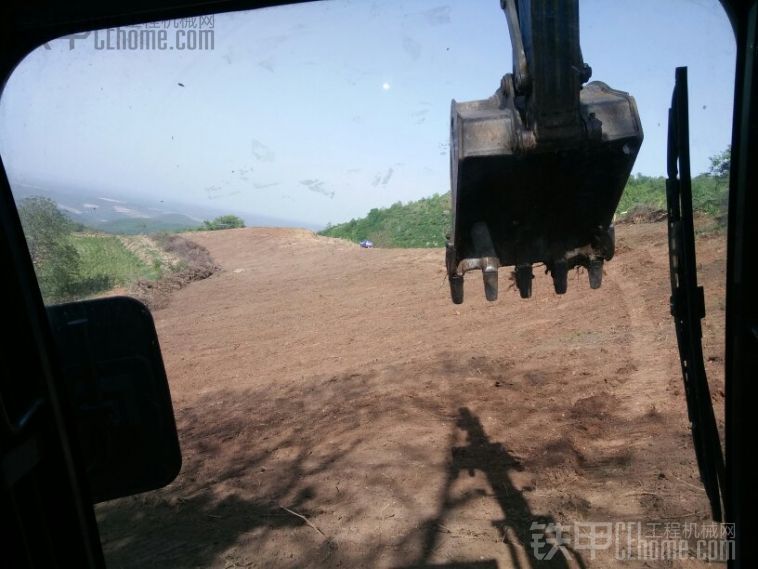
425	222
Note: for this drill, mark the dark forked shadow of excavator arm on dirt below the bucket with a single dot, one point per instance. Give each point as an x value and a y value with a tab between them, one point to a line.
517	528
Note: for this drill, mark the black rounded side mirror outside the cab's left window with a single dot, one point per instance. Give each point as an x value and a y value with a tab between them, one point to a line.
119	394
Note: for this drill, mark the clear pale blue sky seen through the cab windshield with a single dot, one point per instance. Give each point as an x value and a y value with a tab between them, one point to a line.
320	112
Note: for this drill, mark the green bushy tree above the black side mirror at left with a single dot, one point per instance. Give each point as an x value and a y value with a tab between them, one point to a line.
56	261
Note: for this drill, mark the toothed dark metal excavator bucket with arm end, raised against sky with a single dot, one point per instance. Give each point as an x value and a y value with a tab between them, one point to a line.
538	169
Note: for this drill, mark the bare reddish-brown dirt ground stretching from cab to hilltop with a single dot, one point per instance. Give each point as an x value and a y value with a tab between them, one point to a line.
314	378
